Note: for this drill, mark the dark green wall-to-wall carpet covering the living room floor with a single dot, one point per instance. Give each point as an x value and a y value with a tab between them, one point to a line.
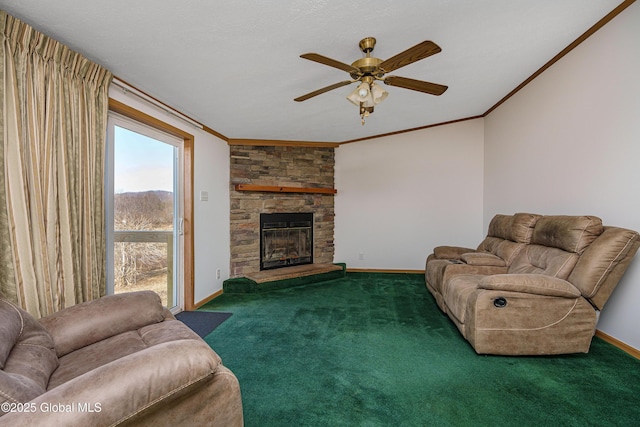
374	350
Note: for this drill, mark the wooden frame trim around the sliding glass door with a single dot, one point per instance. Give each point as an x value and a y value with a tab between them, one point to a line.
188	253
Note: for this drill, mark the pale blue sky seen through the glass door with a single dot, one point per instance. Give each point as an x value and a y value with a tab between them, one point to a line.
141	163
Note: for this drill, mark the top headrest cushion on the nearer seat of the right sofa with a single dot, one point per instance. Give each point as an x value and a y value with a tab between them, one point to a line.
569	233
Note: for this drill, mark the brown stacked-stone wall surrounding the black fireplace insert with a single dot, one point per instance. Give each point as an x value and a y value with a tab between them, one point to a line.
285	166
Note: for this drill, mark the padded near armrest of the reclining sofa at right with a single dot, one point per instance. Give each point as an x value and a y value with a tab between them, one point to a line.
537	284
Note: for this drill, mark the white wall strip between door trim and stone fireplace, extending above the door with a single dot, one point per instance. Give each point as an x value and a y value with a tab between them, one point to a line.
211	218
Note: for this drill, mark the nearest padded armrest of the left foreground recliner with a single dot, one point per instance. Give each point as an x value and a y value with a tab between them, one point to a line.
123	388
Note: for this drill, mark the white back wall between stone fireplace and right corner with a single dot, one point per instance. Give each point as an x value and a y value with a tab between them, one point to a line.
400	196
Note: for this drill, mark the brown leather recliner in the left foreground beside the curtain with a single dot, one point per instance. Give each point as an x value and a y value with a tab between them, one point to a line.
118	360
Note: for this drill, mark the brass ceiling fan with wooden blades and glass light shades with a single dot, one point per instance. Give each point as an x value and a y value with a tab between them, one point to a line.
369	69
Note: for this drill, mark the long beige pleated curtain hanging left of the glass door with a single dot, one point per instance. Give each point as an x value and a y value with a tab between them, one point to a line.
53	128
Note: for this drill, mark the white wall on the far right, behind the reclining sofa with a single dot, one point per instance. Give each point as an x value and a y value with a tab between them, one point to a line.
569	143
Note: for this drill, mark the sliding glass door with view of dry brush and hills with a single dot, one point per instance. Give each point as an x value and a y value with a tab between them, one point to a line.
144	218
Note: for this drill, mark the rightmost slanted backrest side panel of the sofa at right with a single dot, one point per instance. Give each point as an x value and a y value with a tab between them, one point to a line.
603	263
